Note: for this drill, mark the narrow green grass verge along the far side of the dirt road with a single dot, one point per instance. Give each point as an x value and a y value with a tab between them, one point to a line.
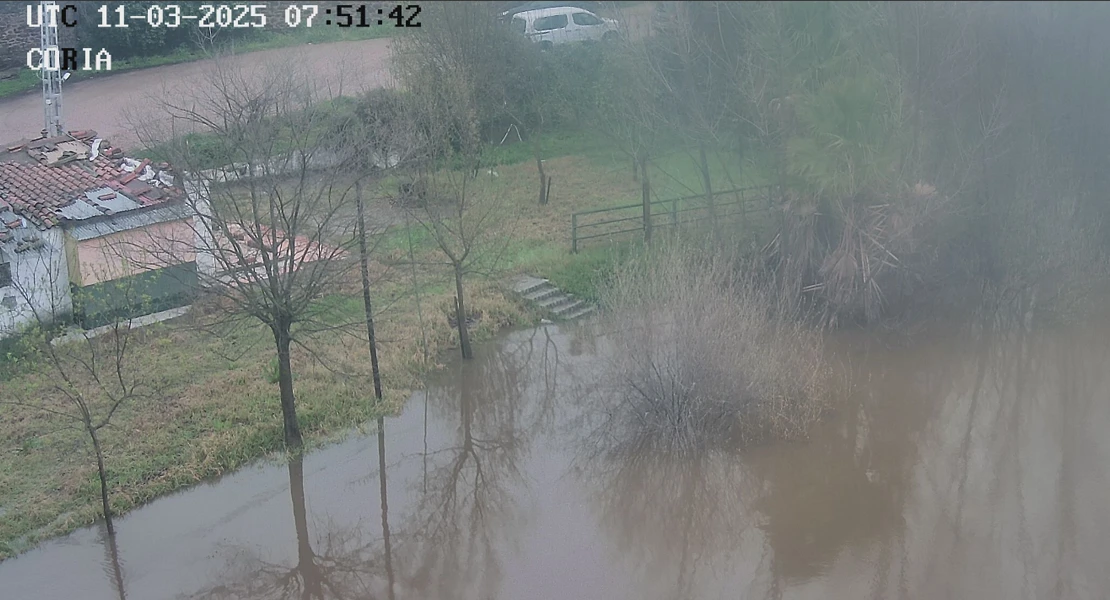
27	80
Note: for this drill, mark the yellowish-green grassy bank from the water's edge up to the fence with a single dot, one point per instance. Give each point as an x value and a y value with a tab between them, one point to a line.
218	404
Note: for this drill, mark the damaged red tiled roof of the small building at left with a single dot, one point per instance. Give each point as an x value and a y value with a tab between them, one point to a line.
46	180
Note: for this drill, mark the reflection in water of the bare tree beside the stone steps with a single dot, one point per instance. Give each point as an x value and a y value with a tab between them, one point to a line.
467	514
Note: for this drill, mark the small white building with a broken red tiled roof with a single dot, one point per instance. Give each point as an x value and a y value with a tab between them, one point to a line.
88	235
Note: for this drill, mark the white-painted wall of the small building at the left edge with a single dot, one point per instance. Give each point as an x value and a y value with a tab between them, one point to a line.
41	277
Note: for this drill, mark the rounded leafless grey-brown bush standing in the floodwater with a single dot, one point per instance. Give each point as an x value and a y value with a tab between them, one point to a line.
704	353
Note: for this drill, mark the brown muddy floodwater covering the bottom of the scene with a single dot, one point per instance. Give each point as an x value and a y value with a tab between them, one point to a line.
968	466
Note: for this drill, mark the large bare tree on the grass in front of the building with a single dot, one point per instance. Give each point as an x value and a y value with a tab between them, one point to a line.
275	227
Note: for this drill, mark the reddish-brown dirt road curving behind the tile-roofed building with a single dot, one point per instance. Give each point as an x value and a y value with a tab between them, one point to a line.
104	104
